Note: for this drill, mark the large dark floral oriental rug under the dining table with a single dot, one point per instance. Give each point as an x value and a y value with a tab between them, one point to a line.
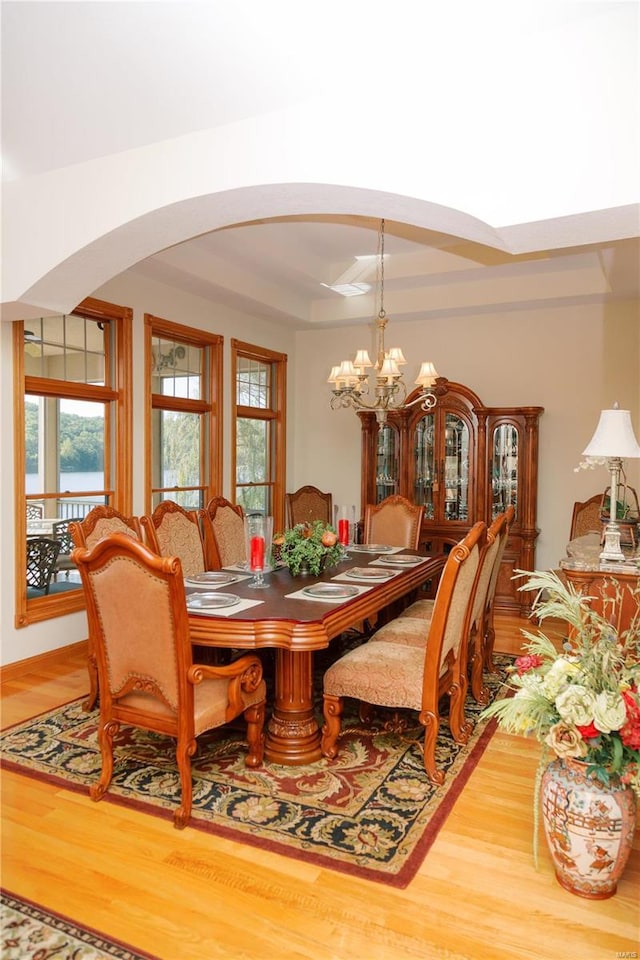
371	812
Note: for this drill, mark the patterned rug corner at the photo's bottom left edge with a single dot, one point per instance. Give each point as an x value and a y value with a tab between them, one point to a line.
31	933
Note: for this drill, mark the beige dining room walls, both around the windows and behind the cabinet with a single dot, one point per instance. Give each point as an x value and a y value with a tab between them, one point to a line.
572	361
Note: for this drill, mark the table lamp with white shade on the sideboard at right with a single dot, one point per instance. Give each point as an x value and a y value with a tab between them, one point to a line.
614	440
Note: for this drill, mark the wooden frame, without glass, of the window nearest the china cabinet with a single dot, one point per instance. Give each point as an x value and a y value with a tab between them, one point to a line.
275	414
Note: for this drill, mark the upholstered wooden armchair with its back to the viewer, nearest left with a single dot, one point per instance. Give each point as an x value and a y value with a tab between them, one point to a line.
136	605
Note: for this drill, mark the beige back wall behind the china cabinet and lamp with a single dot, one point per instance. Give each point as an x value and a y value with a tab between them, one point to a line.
573	361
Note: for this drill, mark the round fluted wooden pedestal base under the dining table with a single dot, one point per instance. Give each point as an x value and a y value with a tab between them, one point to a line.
293	735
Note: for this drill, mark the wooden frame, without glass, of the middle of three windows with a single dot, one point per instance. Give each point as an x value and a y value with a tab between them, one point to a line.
210	405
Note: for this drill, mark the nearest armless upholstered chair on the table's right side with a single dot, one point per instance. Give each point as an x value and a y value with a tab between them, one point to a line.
397	675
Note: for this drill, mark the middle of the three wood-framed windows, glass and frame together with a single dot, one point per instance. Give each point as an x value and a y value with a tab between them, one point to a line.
184	384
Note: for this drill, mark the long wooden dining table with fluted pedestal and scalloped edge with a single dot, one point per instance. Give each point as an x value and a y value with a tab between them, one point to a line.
296	628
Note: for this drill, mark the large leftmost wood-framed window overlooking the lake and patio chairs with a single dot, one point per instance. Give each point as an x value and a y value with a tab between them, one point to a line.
72	414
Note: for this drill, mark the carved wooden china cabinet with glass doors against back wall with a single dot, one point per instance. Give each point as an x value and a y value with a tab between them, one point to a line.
465	462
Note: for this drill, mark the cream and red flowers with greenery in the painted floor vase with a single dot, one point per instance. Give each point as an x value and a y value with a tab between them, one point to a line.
583	701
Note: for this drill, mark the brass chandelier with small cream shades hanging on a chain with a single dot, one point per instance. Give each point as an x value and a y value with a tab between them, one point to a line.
385	390
